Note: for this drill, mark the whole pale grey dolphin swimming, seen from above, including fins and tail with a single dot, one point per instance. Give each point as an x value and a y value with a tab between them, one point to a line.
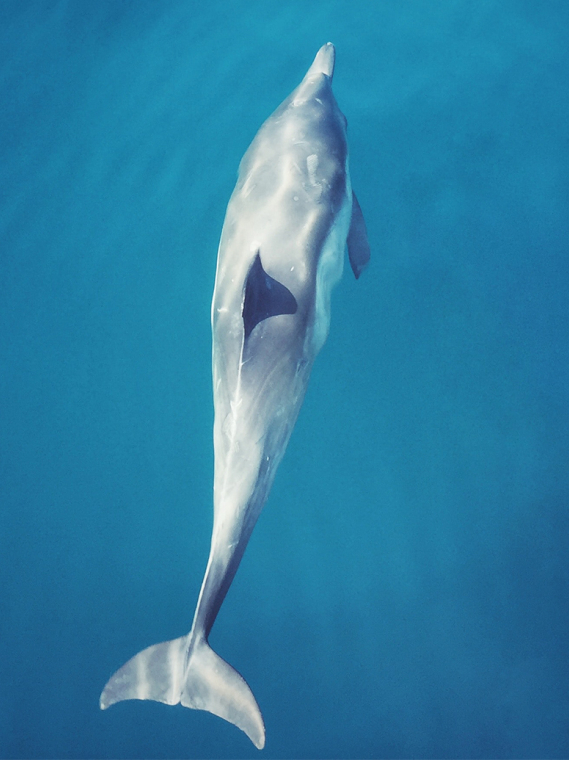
287	225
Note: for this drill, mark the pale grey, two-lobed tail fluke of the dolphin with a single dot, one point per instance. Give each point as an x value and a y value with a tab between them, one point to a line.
203	682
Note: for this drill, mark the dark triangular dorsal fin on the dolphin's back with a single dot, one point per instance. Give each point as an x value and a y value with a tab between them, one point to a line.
264	297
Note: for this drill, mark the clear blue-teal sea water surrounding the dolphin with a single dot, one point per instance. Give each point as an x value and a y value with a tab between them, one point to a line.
406	591
